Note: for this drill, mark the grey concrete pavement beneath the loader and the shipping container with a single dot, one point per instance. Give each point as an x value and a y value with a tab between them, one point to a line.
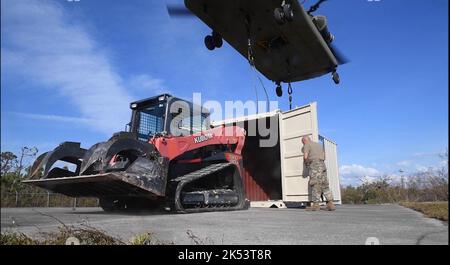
349	224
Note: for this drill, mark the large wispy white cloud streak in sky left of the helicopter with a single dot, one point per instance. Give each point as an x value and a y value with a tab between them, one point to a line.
41	44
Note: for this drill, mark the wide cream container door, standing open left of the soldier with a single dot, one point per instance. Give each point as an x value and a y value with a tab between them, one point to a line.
295	124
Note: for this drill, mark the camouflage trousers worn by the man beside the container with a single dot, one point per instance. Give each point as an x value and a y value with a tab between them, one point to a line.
318	181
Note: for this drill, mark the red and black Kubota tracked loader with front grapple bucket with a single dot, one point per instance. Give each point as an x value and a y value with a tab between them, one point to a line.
168	157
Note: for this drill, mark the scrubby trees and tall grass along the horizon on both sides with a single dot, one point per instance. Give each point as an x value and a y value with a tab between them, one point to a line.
430	185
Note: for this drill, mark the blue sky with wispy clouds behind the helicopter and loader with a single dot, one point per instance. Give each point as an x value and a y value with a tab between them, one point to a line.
70	68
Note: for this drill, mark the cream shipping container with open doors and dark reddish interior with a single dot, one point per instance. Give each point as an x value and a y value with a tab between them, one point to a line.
275	175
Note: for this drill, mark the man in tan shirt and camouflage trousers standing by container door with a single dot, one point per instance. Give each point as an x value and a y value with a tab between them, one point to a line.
313	157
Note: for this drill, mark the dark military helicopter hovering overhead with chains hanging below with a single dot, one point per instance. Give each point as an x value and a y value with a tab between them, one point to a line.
279	38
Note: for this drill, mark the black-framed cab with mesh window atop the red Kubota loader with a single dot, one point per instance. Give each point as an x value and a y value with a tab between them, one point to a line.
165	114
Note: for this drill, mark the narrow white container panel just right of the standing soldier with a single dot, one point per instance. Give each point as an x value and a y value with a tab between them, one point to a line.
332	168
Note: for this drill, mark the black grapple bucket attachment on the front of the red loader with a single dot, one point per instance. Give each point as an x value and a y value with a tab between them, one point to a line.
122	166
